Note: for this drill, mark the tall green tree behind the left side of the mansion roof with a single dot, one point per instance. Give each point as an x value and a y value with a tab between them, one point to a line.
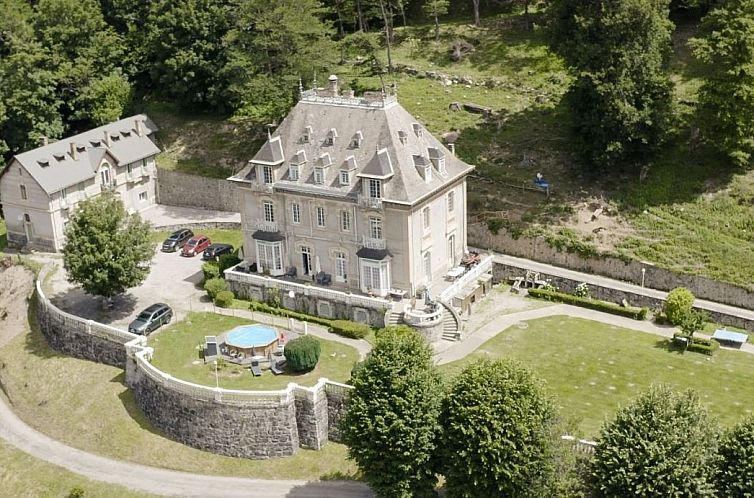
271	46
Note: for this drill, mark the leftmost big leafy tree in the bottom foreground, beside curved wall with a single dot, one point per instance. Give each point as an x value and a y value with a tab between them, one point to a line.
391	423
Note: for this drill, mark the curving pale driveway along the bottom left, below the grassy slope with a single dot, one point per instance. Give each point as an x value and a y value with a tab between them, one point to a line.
161	481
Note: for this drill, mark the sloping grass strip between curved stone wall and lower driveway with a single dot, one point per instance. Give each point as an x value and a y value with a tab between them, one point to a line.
88	406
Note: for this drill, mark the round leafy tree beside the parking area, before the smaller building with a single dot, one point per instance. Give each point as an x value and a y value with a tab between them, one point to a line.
106	249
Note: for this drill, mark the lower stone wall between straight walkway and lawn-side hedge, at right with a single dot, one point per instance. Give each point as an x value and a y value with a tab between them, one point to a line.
502	272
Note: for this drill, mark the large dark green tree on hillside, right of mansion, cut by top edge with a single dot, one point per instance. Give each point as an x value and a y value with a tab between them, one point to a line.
618	52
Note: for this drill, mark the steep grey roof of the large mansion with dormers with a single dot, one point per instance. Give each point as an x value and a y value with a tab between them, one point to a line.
379	125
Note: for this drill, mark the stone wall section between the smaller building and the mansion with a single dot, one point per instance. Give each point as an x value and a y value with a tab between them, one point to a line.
180	189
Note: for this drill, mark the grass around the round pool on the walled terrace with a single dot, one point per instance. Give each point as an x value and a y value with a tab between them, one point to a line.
176	353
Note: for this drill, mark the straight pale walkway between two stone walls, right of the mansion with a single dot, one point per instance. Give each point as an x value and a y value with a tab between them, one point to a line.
615	284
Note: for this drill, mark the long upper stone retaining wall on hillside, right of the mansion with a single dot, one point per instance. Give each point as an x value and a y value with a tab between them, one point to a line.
538	249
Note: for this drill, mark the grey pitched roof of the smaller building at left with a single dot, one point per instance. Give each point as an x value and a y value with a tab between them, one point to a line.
58	174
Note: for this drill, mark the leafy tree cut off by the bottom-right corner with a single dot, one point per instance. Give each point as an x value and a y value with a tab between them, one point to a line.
735	467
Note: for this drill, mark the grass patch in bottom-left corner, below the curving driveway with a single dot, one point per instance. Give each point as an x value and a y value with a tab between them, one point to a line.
23	475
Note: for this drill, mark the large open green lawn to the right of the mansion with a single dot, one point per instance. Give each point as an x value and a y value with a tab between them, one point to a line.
594	368
